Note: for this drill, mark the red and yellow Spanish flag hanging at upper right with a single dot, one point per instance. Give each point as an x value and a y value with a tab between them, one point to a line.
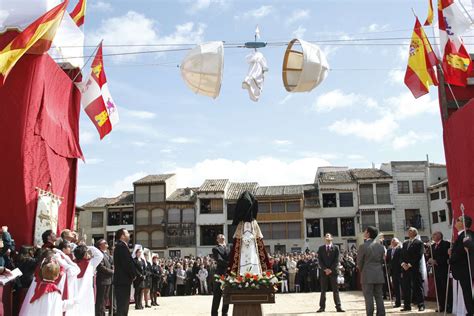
420	73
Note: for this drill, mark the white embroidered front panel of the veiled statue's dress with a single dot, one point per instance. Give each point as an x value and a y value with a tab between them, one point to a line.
249	261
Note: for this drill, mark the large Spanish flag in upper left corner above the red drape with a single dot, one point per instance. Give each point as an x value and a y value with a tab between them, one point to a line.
35	39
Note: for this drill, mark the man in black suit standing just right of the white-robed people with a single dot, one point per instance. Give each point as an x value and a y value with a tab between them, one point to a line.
124	271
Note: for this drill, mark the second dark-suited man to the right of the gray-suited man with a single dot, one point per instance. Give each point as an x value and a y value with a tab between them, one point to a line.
412	252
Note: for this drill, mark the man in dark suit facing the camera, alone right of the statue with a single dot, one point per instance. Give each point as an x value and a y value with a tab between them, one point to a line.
328	255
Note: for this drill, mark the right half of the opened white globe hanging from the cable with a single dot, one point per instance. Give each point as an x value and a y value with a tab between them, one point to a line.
303	70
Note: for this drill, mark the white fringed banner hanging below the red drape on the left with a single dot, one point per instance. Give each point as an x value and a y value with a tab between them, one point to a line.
46	214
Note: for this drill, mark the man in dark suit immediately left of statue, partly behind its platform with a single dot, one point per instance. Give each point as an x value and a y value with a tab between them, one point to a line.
221	256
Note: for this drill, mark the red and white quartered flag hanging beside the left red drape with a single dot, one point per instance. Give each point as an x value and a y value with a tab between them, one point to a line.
96	98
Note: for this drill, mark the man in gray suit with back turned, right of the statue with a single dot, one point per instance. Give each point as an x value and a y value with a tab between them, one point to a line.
369	261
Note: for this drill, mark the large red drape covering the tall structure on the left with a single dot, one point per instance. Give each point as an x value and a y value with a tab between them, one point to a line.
39	143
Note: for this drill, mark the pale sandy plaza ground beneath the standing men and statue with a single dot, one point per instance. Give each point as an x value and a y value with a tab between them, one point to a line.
286	304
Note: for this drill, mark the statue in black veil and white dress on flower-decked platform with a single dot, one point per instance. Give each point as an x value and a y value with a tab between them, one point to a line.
248	254
